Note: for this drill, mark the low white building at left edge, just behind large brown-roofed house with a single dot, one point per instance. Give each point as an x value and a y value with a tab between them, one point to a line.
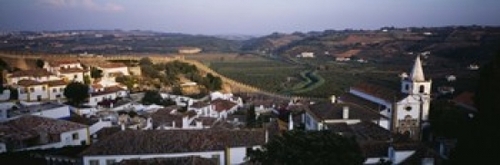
48	109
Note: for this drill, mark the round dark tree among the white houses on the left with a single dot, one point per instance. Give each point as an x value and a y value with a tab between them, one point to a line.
76	93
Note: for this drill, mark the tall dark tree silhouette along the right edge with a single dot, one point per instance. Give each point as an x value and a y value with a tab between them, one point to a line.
481	135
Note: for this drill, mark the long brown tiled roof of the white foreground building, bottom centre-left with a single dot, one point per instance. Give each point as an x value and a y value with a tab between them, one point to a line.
140	142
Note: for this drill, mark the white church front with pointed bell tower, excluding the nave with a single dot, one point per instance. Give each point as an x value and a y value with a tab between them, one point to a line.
412	113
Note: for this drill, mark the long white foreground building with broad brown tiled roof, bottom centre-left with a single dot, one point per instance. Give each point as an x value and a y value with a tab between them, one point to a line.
227	146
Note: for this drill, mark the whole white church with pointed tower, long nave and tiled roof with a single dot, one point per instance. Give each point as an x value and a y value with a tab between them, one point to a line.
408	108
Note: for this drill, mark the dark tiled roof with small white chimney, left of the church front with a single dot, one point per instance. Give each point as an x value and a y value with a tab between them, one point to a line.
329	111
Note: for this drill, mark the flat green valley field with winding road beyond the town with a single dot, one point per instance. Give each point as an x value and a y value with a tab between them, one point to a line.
285	78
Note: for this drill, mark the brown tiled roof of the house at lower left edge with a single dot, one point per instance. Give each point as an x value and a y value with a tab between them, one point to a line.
29	126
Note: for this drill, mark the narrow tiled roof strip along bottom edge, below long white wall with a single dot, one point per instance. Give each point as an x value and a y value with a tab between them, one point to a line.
188	160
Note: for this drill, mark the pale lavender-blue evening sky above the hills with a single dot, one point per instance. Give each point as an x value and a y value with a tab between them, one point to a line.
255	17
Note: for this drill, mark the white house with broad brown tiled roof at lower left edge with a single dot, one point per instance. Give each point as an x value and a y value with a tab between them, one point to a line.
34	132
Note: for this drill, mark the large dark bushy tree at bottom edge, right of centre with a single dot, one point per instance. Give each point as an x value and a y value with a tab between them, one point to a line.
308	147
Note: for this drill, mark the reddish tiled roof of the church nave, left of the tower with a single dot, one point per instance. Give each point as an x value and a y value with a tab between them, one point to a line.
384	93
